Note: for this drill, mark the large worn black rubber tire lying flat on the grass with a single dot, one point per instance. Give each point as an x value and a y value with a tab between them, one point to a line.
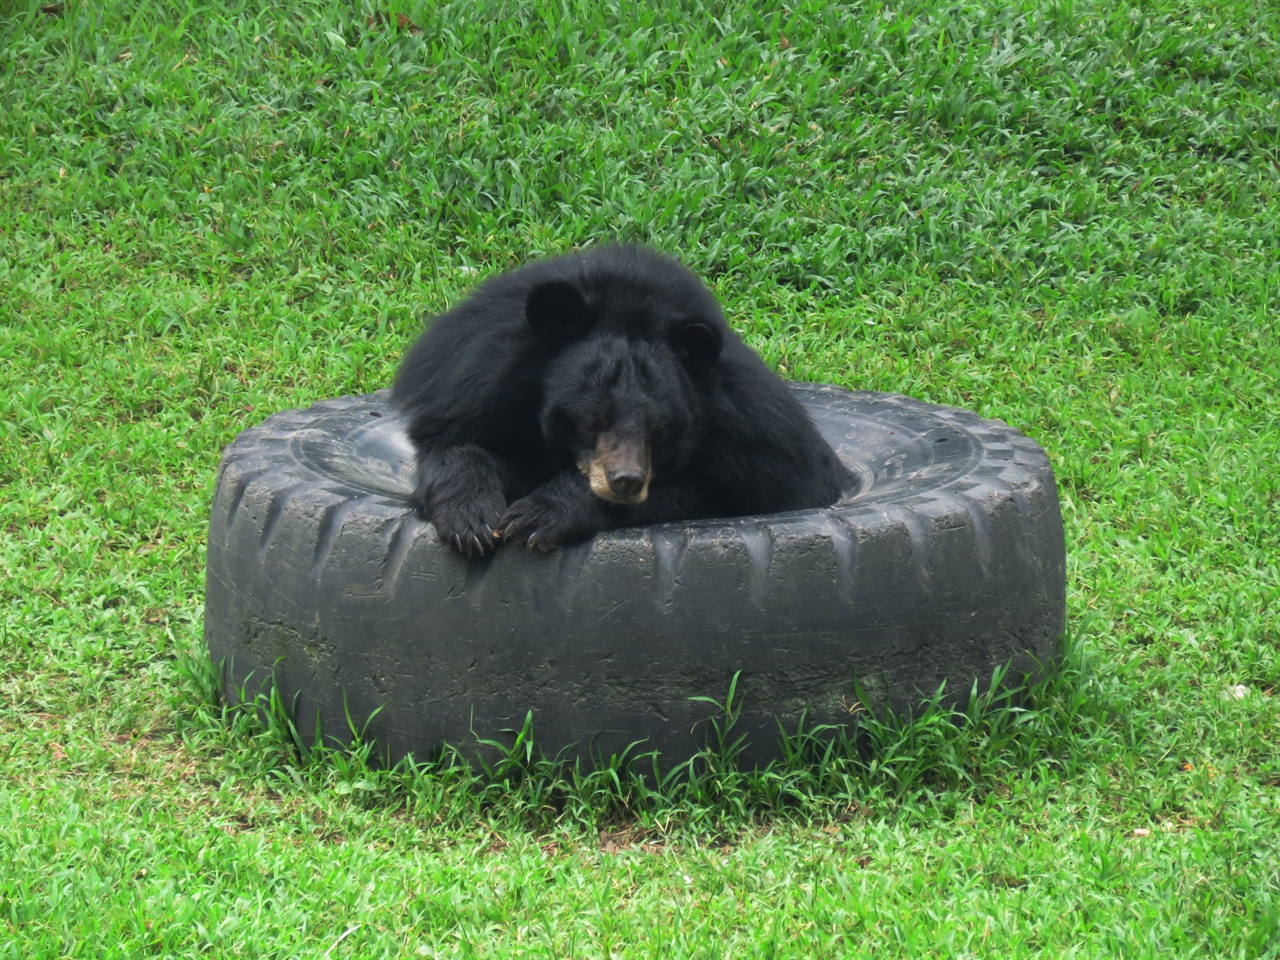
944	563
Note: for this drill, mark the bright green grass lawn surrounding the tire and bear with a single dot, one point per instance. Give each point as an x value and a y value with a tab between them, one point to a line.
1059	214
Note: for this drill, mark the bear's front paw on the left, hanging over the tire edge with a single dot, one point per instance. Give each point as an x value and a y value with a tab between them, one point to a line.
460	490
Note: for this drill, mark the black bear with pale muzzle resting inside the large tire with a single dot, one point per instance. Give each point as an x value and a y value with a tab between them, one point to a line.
596	391
